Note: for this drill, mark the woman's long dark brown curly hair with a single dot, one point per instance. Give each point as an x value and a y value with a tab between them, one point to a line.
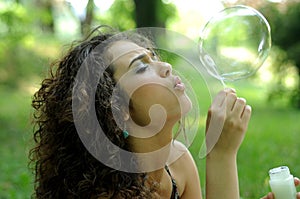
63	166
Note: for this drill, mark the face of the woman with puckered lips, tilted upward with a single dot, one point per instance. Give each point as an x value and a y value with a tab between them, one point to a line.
148	82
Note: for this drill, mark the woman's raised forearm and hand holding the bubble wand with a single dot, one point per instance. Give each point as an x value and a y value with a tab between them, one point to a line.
228	119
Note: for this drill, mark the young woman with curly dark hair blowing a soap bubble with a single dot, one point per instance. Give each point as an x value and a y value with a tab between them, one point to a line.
137	102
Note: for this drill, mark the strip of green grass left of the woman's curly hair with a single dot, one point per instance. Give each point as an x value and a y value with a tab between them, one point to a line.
15	178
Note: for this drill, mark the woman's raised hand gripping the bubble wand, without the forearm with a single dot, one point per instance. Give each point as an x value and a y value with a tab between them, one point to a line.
227	122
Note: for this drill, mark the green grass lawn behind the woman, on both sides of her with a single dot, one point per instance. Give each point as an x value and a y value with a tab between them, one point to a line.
272	139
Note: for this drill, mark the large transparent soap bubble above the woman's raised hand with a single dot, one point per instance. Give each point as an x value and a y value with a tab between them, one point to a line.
235	43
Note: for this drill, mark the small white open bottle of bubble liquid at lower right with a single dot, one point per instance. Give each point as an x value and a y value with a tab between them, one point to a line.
282	183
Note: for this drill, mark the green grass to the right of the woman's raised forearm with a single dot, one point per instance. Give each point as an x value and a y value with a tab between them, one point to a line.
272	140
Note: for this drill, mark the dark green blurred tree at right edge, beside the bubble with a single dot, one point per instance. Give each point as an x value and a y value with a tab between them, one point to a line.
285	27
